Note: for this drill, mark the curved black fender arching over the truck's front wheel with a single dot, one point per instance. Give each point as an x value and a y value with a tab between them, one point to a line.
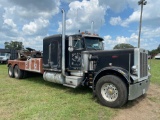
112	71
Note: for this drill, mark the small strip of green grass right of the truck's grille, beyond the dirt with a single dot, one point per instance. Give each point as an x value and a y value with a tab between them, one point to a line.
155	71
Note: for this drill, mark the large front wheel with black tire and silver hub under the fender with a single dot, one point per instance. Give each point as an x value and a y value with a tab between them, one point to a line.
111	91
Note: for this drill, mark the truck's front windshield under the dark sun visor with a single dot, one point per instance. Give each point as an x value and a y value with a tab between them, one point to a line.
94	43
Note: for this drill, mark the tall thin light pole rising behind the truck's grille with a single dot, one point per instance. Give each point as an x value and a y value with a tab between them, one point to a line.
141	2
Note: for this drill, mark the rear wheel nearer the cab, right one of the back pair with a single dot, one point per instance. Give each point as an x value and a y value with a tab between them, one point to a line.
18	73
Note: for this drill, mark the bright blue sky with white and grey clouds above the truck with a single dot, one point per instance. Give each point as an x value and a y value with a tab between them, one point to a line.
117	21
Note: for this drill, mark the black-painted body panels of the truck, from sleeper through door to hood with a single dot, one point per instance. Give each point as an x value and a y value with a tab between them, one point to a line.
117	58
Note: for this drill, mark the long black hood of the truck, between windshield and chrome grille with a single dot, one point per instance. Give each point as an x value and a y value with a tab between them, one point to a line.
109	58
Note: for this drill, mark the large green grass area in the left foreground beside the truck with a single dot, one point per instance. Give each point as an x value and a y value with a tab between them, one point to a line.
34	98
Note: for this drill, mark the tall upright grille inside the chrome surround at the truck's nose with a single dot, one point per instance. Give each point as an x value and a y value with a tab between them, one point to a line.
143	65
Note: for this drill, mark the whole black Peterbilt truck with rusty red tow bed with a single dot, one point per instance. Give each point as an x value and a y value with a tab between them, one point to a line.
115	76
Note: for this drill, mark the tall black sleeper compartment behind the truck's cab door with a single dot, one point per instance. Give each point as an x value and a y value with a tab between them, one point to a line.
56	52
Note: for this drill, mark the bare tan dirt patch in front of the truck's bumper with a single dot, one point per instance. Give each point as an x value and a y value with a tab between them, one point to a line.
147	107
